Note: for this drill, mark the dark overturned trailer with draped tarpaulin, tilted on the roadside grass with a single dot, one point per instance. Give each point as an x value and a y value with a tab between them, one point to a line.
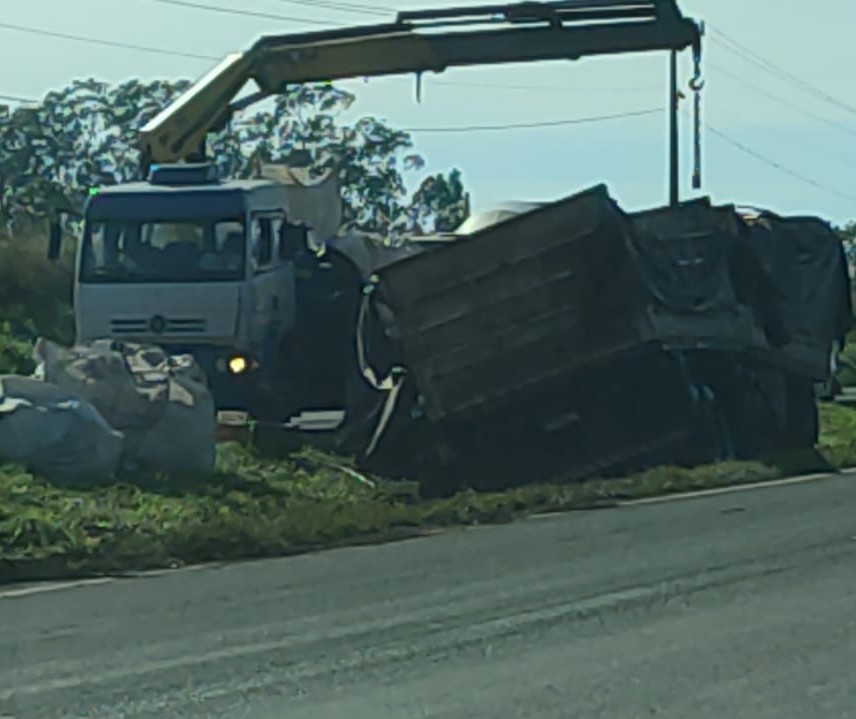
576	339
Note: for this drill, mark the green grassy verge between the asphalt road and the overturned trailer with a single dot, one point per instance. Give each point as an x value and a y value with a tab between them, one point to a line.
252	508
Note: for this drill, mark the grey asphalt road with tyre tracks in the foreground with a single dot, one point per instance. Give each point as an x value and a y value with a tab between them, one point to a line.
732	606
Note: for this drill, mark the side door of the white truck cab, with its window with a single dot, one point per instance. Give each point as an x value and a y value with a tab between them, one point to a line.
272	278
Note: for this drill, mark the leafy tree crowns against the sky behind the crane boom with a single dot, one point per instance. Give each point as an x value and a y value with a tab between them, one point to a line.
86	135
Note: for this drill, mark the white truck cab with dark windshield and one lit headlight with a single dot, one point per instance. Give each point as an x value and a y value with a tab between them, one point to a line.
202	266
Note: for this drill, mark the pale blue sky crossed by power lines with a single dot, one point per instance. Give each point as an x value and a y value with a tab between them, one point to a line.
531	164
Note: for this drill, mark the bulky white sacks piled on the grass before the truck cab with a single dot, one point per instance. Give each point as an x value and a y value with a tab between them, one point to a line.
94	410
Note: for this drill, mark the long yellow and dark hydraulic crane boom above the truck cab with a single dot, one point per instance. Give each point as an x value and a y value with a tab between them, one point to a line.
416	42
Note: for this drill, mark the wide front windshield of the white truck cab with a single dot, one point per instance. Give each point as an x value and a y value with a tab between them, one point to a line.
167	251
